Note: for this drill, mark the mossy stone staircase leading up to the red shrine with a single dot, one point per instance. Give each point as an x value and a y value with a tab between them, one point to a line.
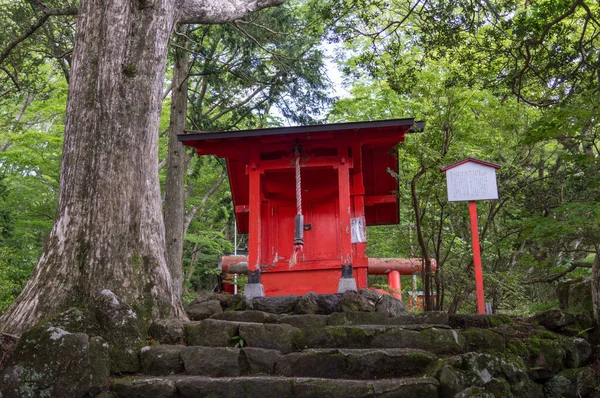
260	354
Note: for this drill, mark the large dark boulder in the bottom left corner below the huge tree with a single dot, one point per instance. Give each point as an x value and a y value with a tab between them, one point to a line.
49	361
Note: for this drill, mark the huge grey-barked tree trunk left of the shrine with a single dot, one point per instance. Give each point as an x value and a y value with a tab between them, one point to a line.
109	231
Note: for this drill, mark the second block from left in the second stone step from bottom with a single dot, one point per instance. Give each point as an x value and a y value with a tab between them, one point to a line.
211	361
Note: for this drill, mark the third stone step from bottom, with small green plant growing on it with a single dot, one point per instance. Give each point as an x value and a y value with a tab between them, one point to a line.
438	339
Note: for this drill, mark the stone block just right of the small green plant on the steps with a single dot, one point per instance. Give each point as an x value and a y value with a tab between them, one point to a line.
271	336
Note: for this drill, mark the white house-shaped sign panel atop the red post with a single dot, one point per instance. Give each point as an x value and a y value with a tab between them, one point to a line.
471	181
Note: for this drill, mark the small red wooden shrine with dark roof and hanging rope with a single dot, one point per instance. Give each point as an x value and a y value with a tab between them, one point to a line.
305	194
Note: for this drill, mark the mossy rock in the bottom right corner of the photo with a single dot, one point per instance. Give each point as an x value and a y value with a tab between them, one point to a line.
571	383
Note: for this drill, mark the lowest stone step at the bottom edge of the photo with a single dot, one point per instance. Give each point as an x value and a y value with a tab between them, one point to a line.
275	387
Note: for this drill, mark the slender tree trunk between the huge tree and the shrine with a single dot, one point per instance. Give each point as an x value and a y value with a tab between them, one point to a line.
174	189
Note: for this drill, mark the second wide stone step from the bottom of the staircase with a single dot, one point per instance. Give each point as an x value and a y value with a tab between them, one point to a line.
322	363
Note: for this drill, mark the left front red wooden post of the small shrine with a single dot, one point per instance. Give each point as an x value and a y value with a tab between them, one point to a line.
254	228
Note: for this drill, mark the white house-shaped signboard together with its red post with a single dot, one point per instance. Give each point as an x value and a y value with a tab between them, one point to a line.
471	180
